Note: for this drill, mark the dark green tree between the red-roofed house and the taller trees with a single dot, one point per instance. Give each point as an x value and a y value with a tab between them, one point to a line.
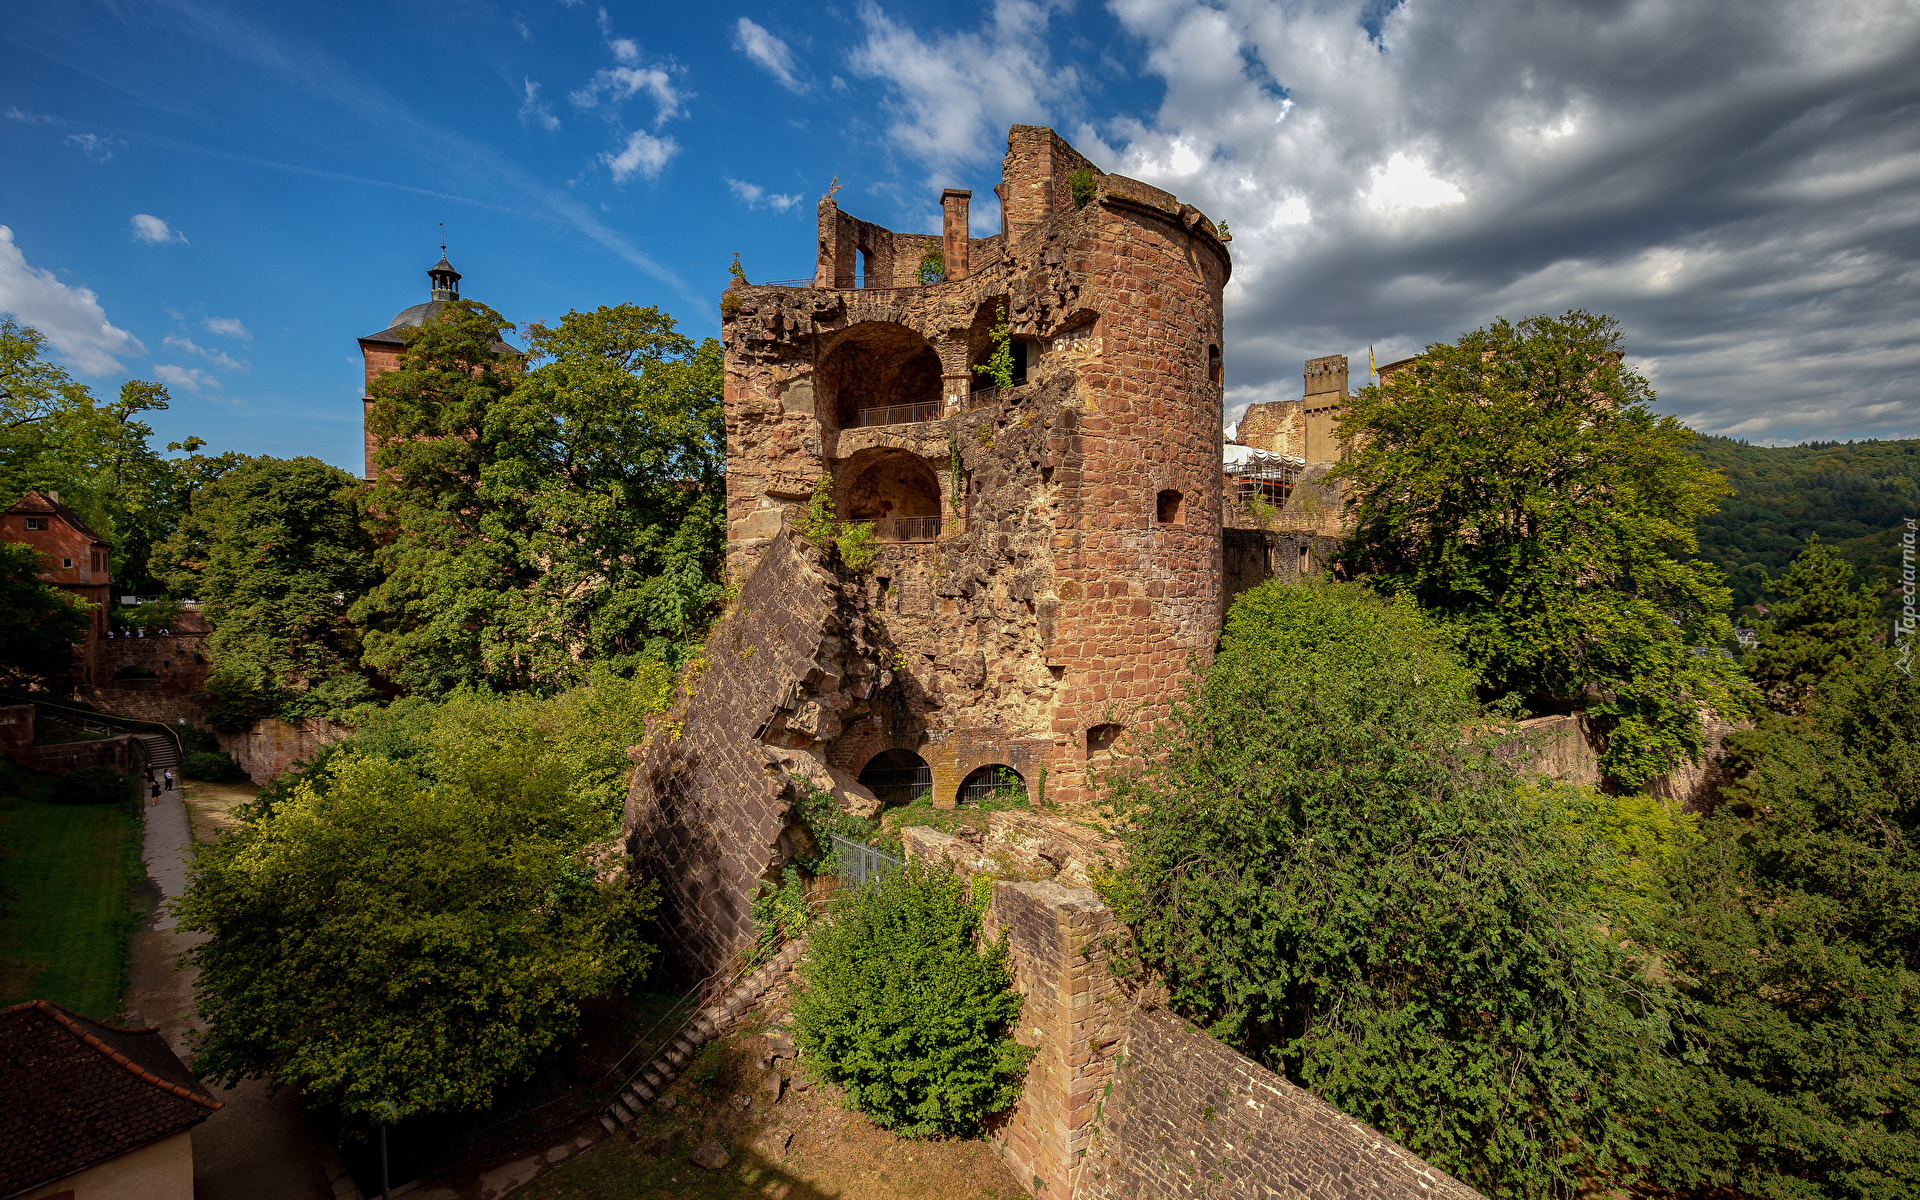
277	554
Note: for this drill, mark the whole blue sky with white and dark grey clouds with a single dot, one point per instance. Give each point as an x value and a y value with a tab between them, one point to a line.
224	197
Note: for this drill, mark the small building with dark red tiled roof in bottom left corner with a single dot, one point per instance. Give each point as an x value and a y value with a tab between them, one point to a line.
93	1113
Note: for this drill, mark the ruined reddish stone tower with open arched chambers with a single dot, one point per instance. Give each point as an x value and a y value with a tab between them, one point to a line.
1051	550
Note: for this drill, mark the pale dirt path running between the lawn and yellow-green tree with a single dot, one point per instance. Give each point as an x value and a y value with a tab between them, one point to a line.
258	1147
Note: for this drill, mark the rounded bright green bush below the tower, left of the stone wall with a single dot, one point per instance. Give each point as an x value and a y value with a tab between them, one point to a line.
905	1013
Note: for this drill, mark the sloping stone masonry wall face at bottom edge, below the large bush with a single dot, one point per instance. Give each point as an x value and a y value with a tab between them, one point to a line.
1191	1118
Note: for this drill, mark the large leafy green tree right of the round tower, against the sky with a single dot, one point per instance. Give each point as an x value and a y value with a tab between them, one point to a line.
1522	491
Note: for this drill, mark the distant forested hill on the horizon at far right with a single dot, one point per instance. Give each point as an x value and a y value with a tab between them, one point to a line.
1854	494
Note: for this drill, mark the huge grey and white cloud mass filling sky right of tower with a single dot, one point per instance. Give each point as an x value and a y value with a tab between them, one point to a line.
1737	183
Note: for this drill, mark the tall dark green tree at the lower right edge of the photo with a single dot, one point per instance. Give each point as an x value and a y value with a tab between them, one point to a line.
1796	938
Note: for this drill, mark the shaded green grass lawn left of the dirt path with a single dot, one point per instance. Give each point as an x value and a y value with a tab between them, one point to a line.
70	903
